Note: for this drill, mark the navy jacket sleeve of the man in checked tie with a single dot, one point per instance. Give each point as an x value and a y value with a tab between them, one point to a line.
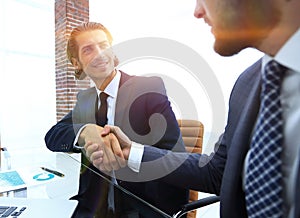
187	170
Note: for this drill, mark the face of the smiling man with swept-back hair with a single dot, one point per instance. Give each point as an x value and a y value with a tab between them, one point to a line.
95	56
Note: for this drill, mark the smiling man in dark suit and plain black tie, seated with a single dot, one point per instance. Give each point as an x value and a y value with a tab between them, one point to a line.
130	103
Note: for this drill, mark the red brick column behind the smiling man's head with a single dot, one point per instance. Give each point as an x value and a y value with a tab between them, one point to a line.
68	14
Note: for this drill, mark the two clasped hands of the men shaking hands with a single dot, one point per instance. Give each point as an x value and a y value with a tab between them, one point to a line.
107	148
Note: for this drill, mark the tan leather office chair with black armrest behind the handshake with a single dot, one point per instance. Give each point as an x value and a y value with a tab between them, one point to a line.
192	134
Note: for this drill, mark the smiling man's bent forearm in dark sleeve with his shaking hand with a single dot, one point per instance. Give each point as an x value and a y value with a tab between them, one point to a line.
60	138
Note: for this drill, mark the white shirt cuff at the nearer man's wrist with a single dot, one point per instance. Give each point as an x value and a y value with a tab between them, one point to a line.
135	156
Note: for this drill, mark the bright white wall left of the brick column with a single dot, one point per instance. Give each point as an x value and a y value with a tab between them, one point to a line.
27	72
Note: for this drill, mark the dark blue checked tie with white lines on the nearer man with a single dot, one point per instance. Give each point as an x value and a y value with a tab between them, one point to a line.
263	177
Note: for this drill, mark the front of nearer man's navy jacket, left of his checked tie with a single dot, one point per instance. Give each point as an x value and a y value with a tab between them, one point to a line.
244	106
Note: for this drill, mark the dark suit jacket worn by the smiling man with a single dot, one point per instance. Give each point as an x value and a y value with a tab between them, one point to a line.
138	99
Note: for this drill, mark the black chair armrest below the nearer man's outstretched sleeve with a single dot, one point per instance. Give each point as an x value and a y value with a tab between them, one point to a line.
196	204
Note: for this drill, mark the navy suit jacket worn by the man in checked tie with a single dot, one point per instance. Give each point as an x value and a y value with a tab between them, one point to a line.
221	173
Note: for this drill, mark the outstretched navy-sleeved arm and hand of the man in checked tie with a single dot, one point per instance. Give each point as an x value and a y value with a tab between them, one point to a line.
186	170
